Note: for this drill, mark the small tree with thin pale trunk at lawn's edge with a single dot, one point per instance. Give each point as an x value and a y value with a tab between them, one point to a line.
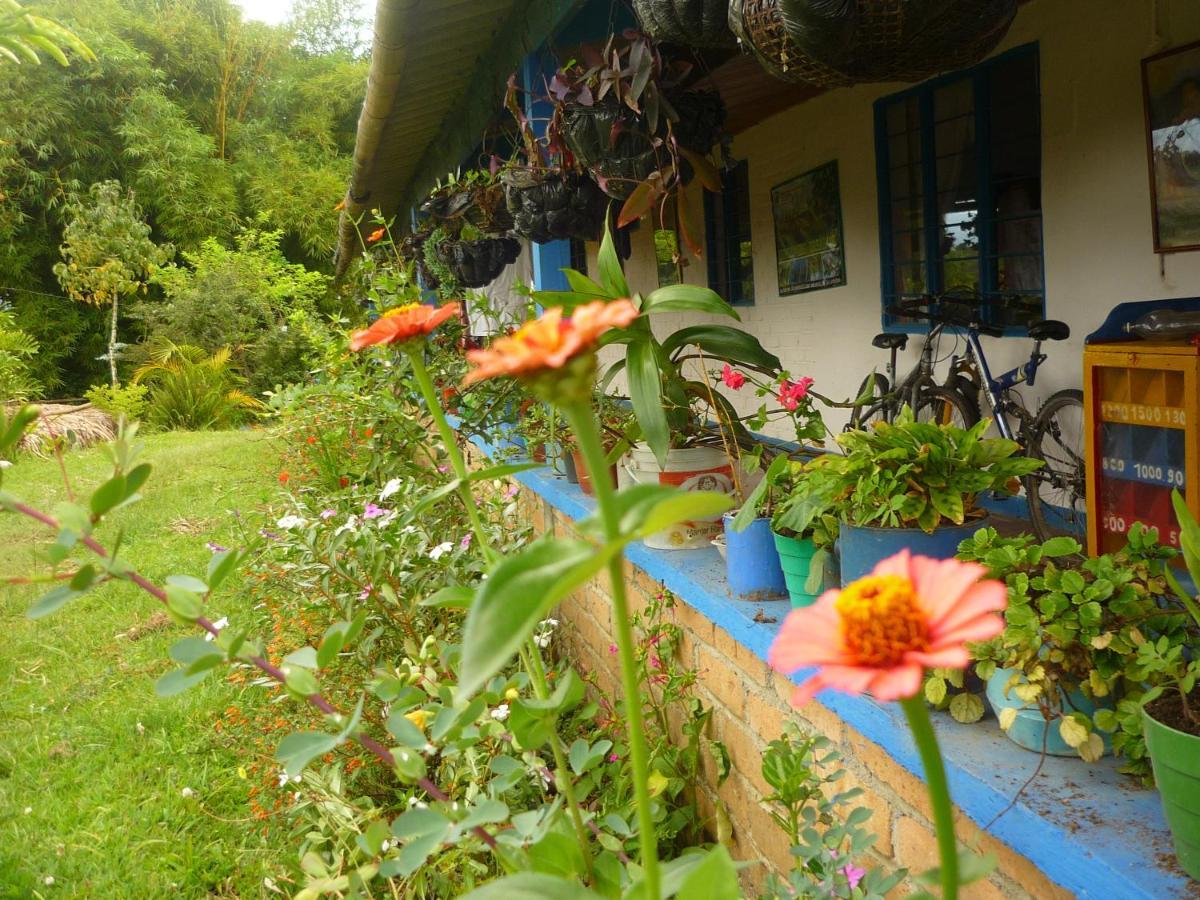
107	254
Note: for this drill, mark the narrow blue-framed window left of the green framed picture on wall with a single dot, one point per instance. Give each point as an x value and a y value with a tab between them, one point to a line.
728	235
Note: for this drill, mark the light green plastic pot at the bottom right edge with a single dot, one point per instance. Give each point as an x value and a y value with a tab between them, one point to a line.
1175	757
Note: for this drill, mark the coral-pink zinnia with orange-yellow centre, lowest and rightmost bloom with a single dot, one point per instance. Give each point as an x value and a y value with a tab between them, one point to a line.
881	633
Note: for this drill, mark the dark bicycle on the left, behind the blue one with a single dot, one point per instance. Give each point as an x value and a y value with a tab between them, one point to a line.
879	401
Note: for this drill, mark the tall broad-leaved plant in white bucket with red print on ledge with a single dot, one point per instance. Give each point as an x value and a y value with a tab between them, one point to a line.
676	447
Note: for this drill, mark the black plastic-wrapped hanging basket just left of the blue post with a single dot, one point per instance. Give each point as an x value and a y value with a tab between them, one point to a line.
549	206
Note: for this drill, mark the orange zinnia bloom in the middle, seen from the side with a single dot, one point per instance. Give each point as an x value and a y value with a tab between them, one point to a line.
549	341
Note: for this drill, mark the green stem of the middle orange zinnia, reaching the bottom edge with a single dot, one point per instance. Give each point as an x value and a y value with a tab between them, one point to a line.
579	416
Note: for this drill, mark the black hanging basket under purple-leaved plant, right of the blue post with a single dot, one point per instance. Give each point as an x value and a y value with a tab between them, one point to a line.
610	141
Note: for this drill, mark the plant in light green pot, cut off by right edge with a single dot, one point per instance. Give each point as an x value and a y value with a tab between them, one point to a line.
1171	709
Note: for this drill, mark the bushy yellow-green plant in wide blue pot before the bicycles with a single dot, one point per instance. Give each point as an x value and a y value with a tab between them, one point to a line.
914	485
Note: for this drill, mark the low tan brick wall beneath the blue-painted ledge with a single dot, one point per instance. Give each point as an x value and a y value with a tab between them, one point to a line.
751	705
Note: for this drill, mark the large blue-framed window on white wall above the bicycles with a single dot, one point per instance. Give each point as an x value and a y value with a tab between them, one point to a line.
961	189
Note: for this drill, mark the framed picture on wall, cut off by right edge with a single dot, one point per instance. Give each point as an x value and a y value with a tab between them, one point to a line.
1172	87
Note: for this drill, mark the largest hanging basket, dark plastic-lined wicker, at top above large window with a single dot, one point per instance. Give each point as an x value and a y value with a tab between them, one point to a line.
860	41
